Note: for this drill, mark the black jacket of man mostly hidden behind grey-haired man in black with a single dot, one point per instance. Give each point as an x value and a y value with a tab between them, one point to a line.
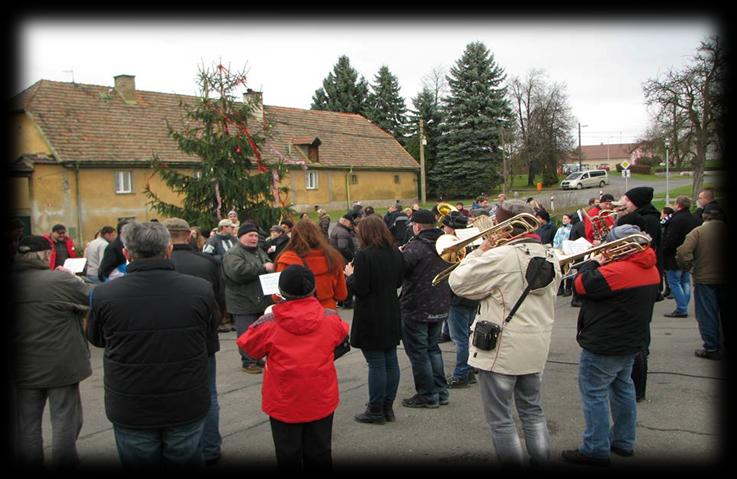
188	261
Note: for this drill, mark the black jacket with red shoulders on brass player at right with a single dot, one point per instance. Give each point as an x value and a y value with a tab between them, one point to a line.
618	301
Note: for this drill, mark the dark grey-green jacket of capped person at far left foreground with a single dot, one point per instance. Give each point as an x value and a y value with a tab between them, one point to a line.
48	308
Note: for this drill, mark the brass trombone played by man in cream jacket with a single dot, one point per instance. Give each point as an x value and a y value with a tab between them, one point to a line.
452	249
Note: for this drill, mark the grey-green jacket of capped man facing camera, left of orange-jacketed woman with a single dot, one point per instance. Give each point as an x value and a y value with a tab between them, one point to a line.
241	268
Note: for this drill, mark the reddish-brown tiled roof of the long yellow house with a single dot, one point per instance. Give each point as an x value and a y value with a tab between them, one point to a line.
92	123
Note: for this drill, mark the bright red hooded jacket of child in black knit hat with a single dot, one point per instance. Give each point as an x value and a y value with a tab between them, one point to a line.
298	339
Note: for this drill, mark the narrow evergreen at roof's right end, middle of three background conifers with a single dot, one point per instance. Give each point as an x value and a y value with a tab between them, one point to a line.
385	105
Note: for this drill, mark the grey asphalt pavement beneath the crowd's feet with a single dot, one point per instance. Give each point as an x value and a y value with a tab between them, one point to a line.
679	425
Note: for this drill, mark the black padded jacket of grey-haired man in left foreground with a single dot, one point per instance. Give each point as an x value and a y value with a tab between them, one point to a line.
154	324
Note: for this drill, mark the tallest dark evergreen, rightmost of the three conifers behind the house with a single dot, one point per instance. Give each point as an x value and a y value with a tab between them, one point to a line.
469	157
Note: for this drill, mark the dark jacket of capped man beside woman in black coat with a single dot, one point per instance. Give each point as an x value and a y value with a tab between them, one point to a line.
420	300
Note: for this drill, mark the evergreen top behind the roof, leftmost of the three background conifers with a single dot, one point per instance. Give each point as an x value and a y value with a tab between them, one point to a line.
342	90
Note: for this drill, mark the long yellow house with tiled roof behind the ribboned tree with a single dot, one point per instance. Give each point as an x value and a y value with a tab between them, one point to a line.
83	155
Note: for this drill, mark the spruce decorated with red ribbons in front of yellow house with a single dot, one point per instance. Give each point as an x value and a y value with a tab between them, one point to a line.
228	139
